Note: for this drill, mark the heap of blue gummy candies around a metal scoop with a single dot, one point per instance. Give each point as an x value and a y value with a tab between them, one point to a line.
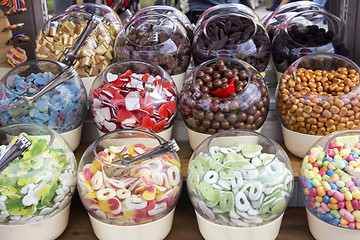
61	109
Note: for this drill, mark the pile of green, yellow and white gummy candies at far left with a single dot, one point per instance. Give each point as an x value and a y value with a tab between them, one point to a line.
37	184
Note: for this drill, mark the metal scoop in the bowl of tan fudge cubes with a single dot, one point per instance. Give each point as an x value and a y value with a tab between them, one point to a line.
69	57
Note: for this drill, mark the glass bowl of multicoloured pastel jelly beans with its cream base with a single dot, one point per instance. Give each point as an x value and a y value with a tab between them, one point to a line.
330	186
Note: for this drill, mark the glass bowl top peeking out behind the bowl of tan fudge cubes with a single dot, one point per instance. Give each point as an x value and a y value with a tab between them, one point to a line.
107	15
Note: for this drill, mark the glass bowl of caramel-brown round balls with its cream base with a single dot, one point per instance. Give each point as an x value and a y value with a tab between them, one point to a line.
317	95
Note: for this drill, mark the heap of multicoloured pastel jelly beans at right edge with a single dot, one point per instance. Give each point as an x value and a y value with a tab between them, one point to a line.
329	191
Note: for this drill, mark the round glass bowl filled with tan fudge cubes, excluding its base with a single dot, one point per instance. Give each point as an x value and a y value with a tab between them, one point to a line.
59	35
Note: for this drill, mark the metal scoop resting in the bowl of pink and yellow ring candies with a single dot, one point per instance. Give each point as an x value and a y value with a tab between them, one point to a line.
115	168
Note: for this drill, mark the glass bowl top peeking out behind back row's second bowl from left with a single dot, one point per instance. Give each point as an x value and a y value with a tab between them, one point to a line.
171	12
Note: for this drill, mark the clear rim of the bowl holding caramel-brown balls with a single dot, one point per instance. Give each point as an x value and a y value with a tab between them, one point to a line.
297	62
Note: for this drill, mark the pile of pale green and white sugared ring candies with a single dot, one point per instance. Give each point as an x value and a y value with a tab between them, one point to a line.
239	185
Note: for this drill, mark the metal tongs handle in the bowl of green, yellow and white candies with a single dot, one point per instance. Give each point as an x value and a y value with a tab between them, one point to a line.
20	145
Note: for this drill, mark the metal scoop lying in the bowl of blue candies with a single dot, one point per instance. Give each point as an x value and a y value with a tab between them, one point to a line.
21	106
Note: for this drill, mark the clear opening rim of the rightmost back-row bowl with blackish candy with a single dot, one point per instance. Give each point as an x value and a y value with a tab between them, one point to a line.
328	16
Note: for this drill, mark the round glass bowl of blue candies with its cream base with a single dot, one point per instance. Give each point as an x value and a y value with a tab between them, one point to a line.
62	109
